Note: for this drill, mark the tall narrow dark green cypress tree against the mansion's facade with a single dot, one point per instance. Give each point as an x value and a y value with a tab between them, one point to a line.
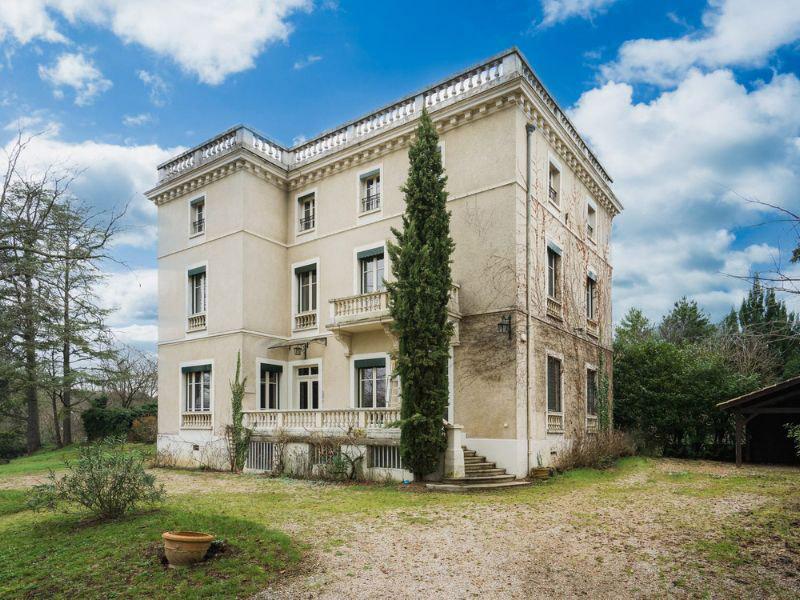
419	295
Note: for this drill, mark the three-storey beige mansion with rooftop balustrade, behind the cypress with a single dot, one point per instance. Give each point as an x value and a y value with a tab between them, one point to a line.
279	254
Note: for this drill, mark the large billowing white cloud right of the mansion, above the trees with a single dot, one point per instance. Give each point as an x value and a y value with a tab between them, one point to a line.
684	163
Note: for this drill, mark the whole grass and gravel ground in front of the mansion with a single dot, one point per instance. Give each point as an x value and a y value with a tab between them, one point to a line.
643	528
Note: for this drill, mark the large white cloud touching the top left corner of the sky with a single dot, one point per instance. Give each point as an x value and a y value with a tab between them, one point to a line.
211	39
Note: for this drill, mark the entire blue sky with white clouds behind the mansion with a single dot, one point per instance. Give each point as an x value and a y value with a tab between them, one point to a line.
692	107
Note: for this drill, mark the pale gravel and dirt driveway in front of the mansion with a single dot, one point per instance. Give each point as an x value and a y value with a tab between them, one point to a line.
626	539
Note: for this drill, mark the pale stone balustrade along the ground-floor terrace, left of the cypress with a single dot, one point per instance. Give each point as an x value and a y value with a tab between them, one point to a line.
321	420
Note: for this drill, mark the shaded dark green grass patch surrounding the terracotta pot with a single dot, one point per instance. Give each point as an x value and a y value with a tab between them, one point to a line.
67	556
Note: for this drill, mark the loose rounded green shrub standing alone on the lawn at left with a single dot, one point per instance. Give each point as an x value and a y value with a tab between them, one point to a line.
106	479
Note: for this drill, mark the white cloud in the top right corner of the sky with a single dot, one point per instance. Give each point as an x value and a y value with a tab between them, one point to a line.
736	33
